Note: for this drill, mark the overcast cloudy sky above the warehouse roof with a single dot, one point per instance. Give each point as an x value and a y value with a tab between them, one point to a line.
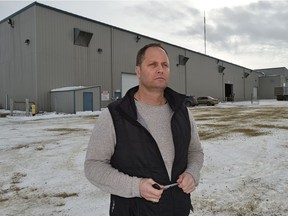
250	33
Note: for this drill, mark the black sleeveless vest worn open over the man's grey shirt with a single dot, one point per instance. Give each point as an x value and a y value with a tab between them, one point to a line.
137	154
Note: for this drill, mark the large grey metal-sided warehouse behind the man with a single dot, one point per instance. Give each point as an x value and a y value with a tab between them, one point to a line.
44	48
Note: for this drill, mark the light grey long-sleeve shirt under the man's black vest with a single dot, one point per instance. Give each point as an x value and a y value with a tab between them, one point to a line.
101	146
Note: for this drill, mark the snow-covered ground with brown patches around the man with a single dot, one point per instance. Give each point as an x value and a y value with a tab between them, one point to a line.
245	170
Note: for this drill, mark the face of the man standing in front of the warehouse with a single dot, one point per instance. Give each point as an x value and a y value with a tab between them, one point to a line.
154	71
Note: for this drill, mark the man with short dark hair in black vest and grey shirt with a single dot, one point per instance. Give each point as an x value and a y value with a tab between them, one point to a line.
145	141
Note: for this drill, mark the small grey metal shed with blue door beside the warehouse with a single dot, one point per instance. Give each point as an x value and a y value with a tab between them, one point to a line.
76	99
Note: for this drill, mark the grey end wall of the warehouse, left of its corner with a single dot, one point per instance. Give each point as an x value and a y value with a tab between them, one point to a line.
17	58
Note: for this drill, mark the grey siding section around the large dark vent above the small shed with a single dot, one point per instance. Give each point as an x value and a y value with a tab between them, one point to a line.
61	63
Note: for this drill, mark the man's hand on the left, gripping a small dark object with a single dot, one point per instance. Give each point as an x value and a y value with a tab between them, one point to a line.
148	192
